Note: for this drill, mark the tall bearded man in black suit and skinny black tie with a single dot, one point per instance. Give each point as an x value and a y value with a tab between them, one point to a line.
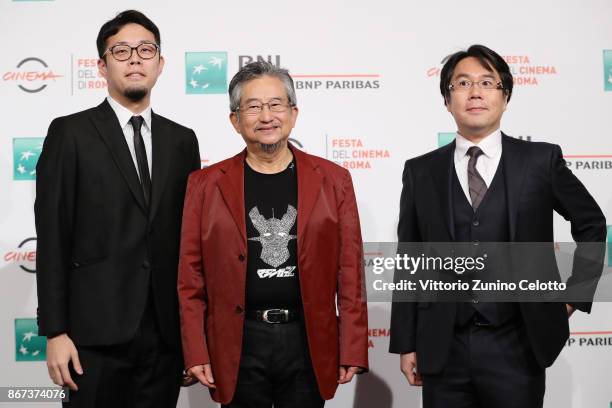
109	197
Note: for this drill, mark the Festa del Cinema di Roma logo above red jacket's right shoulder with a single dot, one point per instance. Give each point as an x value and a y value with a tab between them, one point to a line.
353	153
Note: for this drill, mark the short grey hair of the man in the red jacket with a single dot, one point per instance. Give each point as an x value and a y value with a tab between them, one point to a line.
256	70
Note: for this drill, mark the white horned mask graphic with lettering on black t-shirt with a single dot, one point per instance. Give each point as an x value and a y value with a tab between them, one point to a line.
274	237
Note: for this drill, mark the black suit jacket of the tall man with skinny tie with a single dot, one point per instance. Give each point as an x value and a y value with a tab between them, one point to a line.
99	247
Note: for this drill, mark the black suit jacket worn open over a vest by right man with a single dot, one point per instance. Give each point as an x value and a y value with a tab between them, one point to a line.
537	182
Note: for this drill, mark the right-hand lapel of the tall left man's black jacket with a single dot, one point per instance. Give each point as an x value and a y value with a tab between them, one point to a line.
162	154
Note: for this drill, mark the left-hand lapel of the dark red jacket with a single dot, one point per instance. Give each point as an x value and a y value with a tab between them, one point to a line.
231	185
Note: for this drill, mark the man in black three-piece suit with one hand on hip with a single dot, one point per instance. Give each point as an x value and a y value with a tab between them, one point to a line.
487	187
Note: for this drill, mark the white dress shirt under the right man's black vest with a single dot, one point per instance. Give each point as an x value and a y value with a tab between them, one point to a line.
487	162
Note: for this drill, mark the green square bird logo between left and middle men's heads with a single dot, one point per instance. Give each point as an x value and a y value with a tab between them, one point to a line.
205	72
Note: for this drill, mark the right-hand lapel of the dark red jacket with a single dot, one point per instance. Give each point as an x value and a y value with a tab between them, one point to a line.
309	187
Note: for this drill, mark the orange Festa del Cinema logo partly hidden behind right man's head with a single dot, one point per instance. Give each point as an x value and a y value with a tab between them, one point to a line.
525	70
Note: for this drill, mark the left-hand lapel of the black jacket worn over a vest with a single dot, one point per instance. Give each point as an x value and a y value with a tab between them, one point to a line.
442	171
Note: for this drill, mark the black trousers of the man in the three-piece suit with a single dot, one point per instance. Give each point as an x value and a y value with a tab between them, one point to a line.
487	367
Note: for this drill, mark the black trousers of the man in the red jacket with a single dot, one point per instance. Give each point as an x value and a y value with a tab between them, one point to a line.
275	368
